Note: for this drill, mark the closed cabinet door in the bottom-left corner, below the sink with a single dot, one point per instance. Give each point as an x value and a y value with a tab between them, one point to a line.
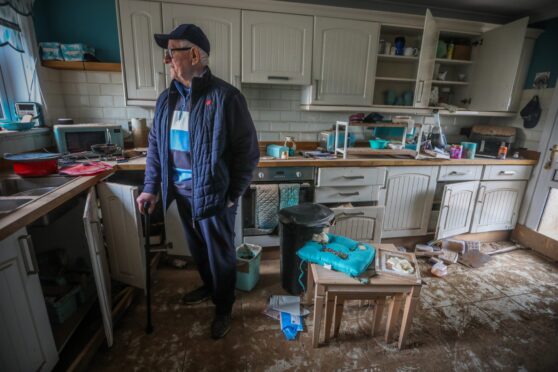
27	343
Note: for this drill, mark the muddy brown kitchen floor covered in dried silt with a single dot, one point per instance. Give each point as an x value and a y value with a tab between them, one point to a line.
503	316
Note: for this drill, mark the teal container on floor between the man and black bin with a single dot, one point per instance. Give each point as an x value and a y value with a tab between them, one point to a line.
248	257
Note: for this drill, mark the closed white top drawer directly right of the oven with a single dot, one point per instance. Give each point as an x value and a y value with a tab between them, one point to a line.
351	176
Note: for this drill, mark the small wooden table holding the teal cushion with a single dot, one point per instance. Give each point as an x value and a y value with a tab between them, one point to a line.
332	288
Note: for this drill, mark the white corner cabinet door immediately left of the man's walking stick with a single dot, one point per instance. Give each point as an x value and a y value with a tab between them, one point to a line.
123	233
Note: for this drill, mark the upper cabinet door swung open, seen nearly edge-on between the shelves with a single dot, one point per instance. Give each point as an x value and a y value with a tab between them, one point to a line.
426	61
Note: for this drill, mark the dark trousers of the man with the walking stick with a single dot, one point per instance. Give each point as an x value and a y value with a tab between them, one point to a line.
211	242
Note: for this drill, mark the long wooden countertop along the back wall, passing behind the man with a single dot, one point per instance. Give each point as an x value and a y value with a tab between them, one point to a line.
139	164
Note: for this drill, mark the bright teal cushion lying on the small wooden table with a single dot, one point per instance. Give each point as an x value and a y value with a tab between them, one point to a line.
343	254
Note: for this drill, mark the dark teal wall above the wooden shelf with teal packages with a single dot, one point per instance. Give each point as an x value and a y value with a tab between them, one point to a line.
92	22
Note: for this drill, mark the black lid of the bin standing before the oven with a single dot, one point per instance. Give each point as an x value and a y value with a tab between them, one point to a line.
307	214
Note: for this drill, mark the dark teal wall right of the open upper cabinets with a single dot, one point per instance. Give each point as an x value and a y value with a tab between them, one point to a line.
545	53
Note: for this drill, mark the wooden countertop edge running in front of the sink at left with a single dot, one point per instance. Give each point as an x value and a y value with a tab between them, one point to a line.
46	203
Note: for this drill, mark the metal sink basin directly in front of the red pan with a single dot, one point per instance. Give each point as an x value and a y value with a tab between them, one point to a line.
36	186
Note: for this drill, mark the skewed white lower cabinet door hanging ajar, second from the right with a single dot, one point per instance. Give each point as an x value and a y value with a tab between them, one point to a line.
456	209
